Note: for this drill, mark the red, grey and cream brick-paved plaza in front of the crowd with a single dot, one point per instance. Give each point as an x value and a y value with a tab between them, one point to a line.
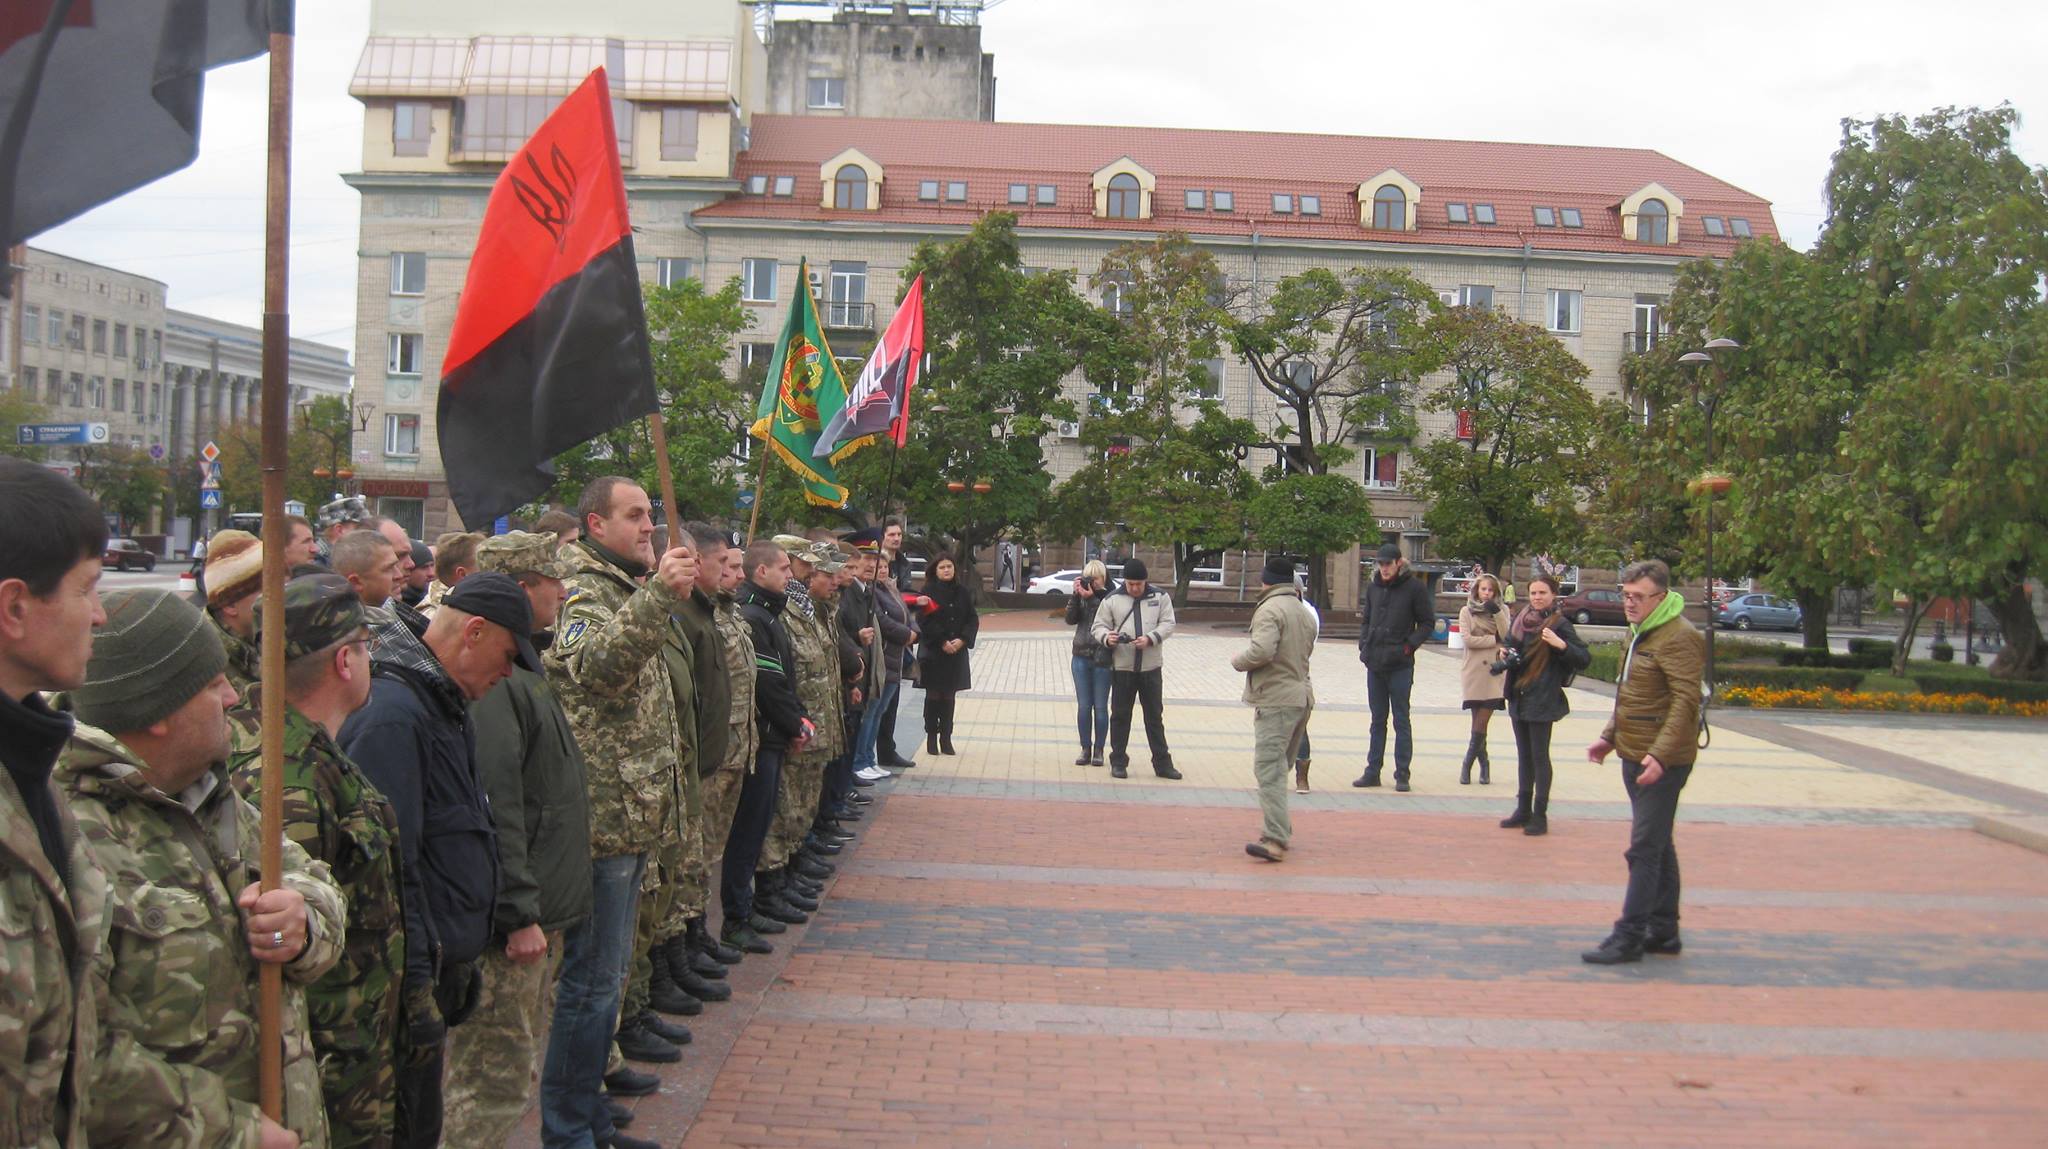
1023	951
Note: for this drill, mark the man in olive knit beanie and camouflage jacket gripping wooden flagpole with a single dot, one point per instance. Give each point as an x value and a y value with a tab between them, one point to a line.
187	923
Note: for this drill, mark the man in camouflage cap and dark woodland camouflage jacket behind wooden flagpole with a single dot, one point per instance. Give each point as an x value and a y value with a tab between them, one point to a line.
339	818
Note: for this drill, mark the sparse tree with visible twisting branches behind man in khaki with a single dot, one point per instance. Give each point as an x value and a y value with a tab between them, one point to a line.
1338	353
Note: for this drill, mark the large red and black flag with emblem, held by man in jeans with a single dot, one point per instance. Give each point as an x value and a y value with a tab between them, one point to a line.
550	345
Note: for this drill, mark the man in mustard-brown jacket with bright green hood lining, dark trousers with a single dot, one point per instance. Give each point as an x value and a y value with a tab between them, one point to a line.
1656	728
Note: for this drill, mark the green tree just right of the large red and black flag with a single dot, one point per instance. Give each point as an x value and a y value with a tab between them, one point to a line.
706	411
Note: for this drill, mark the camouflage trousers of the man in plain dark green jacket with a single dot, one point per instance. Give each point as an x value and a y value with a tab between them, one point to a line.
495	1058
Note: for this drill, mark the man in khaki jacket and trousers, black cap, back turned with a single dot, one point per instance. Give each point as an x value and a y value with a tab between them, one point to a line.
1277	687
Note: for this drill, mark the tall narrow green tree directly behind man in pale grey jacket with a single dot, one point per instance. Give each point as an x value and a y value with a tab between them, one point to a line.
1154	429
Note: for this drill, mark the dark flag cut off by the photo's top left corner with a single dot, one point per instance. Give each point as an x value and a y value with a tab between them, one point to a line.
99	97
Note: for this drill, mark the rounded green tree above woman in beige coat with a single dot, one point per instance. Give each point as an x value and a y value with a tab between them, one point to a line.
1533	458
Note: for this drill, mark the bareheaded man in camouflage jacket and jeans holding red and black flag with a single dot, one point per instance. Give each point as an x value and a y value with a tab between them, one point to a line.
613	683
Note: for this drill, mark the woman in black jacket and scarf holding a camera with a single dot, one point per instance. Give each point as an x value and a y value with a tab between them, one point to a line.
1541	656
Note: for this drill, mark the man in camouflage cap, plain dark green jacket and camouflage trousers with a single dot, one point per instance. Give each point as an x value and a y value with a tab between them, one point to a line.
534	775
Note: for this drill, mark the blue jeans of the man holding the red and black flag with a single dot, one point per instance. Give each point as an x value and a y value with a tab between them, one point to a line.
593	978
